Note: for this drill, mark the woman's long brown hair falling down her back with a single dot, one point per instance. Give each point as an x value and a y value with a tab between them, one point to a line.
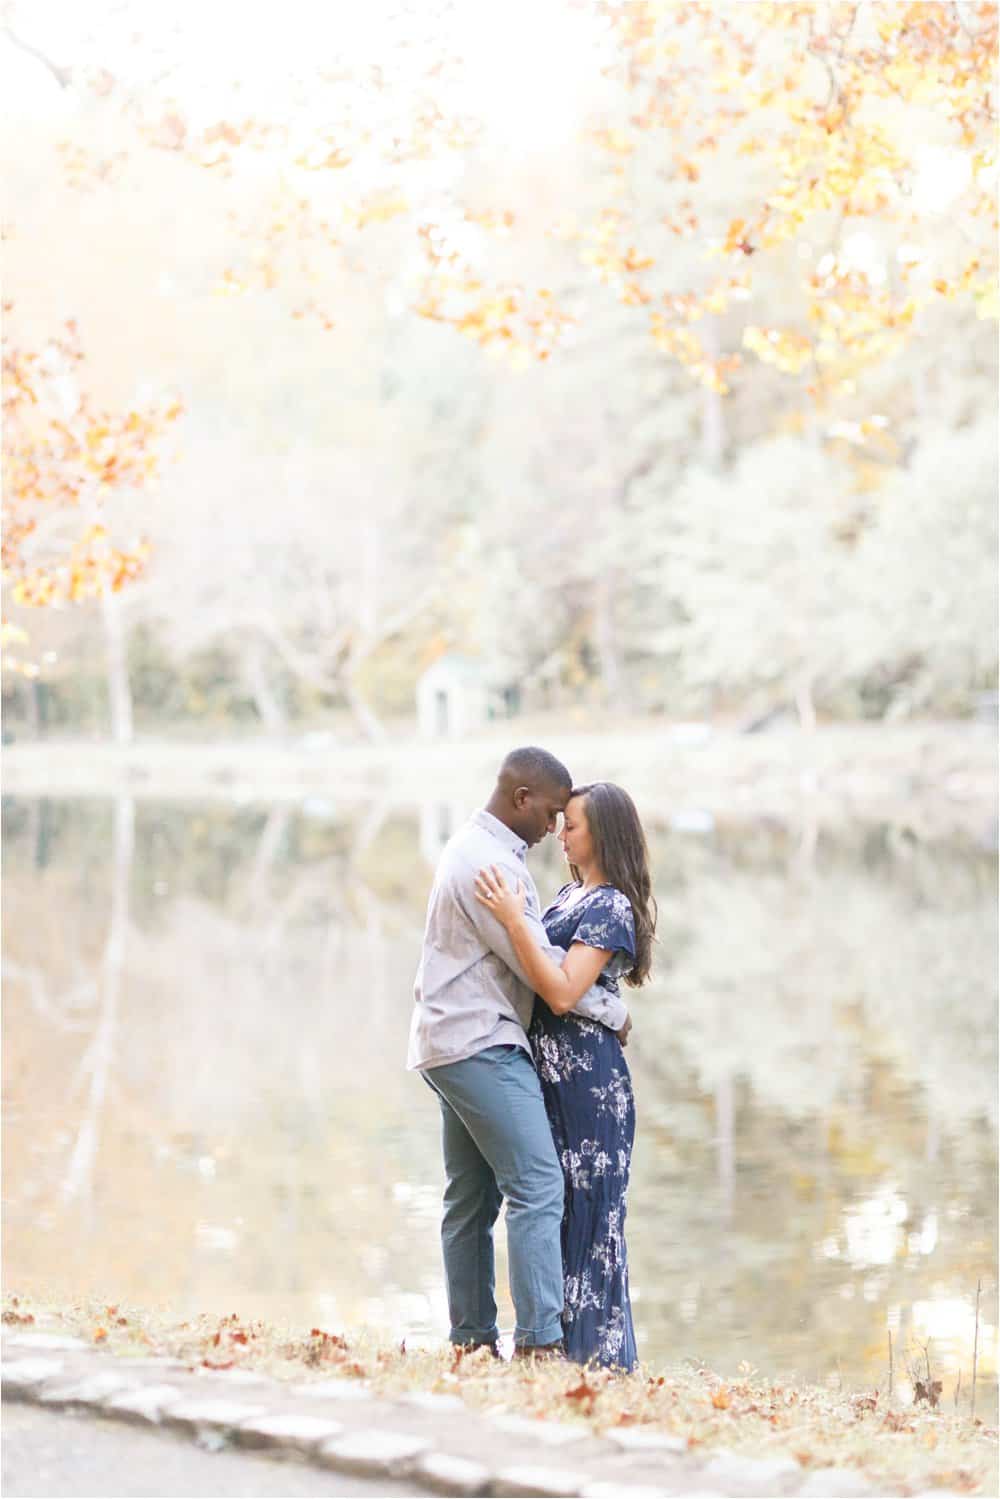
620	848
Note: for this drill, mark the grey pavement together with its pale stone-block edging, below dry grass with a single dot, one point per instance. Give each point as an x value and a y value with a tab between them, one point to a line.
337	1438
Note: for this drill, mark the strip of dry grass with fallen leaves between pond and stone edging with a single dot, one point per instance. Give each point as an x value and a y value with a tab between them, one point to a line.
903	1447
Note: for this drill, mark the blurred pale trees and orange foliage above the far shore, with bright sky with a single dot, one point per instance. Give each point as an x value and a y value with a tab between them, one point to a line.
645	355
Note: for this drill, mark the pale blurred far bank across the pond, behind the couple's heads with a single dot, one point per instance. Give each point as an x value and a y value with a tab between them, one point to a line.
933	777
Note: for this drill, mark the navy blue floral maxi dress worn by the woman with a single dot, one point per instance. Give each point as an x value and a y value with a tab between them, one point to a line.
588	1095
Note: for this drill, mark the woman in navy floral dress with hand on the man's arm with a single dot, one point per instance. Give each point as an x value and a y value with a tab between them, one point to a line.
606	921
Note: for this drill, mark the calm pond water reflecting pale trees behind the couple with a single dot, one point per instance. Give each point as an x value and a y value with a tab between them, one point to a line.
205	1029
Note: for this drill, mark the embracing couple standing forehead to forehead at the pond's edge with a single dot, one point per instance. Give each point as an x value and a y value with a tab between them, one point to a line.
519	1029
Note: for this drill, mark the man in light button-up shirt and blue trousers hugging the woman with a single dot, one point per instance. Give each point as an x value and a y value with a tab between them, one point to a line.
469	1040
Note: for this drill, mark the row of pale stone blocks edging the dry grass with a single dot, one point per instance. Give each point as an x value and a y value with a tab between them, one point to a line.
433	1443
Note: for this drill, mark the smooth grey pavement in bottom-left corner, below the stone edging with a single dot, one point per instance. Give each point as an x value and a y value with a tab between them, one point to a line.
79	1458
